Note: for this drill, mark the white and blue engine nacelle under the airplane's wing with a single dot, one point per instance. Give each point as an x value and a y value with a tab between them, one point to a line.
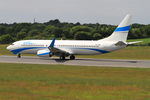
44	53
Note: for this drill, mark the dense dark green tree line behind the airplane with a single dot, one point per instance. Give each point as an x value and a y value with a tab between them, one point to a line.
63	30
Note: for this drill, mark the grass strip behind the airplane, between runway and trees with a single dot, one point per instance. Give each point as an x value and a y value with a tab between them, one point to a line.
131	52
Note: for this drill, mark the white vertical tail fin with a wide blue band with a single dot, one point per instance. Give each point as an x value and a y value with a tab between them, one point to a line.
121	32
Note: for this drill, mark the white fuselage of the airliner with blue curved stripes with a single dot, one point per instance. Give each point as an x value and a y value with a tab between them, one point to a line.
73	47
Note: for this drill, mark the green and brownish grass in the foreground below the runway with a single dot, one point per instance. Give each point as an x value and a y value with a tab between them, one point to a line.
58	82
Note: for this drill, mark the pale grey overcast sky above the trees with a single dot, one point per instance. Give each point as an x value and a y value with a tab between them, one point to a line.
83	11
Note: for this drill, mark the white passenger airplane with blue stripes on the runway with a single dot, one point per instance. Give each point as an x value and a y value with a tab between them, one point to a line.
70	48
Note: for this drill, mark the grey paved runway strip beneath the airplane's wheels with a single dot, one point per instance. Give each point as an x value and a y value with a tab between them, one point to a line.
78	61
